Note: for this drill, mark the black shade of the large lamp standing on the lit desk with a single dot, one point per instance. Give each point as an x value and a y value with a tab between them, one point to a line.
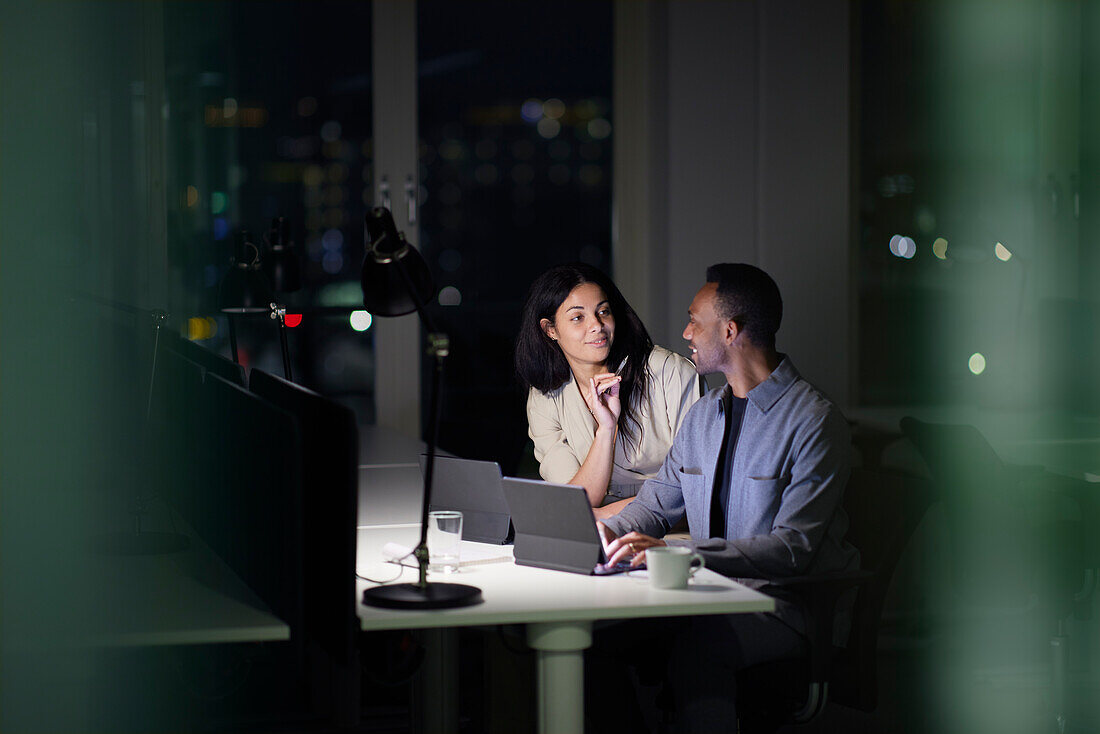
391	269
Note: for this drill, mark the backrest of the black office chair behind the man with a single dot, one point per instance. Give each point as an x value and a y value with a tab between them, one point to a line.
885	508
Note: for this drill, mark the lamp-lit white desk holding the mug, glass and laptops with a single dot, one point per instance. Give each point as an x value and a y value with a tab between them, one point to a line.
558	609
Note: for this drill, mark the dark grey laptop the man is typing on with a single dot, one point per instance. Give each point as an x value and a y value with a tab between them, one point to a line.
556	529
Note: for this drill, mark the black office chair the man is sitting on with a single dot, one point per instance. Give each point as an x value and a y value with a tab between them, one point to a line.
885	508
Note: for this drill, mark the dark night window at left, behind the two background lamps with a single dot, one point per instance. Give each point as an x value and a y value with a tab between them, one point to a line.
269	116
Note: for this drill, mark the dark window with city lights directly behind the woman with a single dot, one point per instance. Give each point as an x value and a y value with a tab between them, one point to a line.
515	178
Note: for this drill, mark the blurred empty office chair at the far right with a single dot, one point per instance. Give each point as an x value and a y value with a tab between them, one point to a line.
1020	545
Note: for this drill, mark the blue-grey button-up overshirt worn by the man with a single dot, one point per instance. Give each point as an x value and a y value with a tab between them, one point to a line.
784	516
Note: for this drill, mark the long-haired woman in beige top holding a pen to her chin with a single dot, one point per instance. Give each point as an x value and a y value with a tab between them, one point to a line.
603	403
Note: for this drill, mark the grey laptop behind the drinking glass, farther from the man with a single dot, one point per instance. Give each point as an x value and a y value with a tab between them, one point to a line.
474	488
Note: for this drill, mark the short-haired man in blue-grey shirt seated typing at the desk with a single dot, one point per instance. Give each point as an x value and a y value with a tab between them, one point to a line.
758	468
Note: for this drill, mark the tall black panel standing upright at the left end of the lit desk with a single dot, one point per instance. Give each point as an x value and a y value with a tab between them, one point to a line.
331	467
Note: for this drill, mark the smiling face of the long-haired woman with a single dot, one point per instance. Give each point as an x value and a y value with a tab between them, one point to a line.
584	325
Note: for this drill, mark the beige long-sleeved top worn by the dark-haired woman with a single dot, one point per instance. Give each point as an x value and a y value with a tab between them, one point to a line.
563	429
